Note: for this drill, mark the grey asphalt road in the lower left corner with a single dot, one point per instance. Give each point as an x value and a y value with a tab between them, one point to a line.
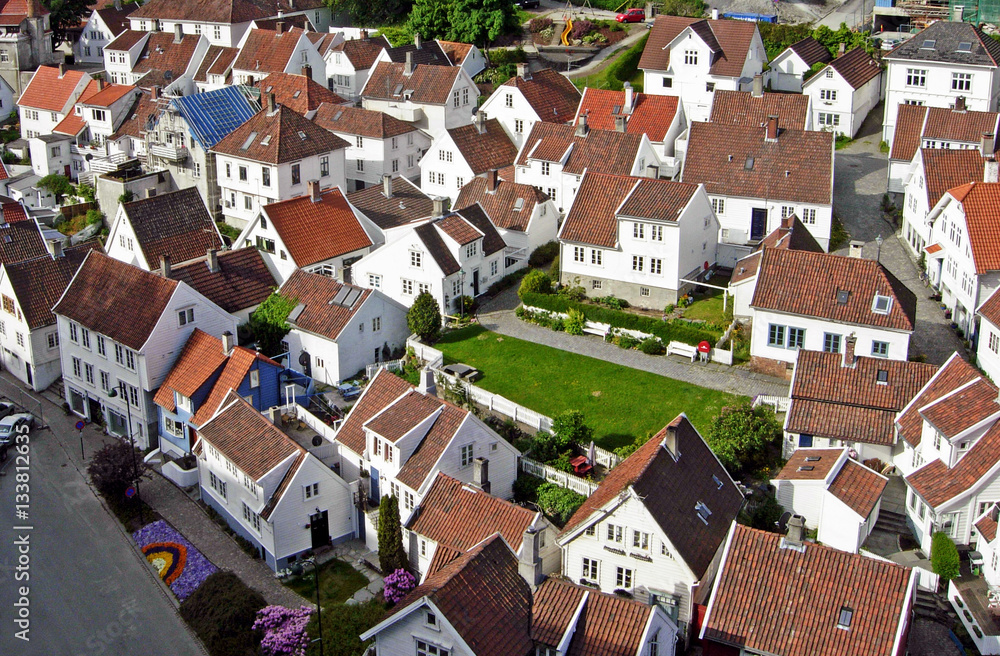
90	591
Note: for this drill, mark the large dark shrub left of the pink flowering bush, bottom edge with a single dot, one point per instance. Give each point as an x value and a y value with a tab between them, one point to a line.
222	612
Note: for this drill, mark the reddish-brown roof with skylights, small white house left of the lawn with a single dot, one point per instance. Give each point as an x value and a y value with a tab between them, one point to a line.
316	292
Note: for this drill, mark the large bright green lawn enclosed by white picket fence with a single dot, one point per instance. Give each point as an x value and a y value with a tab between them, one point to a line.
619	403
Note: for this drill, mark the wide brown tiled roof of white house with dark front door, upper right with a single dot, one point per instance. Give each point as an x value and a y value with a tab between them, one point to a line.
738	161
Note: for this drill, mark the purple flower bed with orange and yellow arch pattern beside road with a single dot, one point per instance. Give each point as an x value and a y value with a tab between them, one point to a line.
179	564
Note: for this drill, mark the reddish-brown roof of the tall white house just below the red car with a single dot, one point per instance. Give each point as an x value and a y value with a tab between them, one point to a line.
730	41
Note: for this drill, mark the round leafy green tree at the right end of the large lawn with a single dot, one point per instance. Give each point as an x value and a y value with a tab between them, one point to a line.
743	436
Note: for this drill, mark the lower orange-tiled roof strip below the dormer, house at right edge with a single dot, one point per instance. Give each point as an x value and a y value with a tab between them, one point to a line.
937	484
